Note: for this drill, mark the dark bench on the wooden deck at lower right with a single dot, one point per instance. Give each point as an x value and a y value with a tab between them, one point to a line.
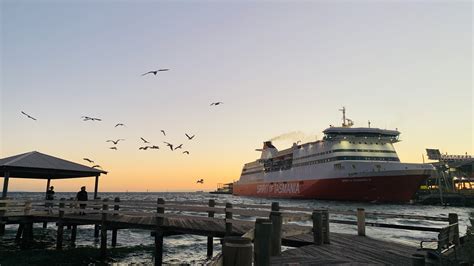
448	239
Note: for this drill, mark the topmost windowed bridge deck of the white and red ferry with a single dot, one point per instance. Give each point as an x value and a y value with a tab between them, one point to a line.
338	133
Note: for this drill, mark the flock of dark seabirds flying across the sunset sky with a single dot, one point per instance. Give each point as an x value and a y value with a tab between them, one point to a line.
146	147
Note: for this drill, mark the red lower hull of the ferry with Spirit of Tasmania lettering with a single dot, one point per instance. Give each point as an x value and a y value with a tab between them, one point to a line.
375	188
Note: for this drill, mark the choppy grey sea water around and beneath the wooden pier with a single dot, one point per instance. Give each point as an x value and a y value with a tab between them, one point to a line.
136	246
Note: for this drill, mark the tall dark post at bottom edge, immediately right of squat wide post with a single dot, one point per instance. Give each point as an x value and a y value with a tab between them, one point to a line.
263	235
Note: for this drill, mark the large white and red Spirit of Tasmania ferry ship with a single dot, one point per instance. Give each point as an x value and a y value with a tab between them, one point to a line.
349	163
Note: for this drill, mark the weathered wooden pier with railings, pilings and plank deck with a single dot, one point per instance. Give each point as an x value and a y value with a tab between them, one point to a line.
268	227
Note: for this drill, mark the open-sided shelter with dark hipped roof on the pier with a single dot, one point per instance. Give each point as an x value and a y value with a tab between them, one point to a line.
36	165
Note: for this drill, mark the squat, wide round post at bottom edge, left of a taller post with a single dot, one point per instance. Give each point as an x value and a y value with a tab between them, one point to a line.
237	251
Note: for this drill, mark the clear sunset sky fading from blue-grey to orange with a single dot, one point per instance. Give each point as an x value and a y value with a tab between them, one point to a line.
277	66
